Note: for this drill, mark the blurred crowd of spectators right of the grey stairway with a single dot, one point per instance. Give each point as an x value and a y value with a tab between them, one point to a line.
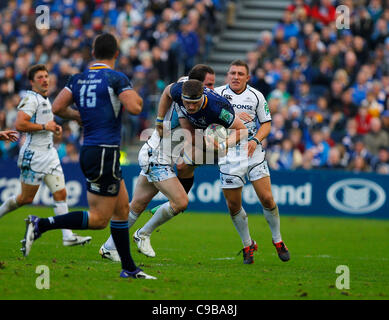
327	88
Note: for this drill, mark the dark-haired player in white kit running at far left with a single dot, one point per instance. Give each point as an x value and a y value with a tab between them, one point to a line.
38	159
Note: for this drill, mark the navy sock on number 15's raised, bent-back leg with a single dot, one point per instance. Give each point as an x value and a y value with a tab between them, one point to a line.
77	220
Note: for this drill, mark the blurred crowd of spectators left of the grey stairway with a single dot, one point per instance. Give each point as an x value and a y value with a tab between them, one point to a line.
159	41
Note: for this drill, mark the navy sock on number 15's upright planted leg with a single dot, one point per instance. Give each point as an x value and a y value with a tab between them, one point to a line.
120	235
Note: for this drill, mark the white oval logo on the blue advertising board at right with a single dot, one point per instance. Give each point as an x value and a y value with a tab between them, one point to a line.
356	196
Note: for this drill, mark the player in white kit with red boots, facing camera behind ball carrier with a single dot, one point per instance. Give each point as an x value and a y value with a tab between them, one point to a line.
249	162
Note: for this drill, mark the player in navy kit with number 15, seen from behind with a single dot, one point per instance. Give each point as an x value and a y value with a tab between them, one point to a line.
99	94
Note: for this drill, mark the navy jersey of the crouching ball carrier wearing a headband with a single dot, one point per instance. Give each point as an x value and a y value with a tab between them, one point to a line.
216	109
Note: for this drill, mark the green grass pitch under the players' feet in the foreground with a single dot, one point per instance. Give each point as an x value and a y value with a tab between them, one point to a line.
197	260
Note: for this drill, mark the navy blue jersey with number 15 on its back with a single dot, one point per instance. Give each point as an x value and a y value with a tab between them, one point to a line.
96	95
